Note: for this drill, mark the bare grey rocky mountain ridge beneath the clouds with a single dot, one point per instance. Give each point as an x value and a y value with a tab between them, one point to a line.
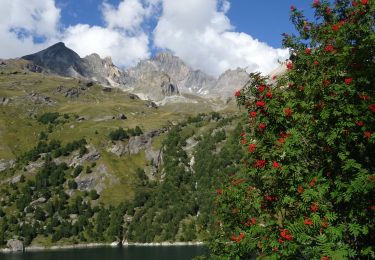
157	79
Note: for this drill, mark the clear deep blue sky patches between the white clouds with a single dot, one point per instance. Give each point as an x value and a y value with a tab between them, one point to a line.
265	20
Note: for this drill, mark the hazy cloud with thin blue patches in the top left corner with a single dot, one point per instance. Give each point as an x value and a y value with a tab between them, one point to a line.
21	22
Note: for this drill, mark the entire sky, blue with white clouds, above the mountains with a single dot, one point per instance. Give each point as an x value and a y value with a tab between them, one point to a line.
211	35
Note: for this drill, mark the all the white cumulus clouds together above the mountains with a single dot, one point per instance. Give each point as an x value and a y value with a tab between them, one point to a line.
198	31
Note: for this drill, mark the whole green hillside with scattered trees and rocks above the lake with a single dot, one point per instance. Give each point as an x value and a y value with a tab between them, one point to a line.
89	164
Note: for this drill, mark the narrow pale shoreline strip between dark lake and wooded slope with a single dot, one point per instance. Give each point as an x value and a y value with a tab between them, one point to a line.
96	245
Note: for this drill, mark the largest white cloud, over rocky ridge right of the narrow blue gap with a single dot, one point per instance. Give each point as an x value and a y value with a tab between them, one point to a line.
201	34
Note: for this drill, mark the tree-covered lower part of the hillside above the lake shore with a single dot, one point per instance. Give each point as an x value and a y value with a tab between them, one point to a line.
45	207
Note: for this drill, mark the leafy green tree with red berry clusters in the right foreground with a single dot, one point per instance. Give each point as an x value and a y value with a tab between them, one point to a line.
306	189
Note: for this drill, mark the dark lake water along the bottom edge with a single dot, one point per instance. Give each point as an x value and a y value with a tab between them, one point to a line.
108	253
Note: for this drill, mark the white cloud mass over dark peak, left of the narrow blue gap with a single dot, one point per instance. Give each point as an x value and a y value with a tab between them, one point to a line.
30	26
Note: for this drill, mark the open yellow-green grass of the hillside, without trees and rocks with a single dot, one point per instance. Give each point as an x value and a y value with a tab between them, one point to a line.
19	129
